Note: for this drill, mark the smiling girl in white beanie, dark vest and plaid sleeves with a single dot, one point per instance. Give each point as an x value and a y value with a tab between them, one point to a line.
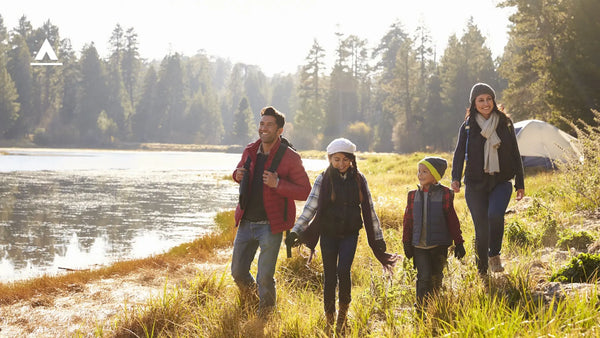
338	205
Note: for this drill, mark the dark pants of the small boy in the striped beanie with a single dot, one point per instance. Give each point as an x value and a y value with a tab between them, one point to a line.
430	265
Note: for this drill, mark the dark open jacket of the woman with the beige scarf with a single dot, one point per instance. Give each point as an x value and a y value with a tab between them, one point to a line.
508	153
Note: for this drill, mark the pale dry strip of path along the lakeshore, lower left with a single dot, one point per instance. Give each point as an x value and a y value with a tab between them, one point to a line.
90	308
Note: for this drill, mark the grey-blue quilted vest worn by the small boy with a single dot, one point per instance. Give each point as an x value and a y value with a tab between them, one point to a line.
437	228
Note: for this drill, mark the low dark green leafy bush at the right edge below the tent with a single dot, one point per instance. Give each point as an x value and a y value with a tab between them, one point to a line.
583	268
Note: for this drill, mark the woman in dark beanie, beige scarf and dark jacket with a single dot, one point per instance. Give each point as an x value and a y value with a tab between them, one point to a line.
487	142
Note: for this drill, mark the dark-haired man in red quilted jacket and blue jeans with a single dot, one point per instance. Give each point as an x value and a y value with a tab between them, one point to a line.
270	209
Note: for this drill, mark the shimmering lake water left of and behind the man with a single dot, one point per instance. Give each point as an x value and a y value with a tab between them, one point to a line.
74	209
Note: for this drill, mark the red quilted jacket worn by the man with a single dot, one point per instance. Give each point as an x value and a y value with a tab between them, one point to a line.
293	185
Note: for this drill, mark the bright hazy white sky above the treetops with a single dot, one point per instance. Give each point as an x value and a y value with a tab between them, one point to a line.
273	34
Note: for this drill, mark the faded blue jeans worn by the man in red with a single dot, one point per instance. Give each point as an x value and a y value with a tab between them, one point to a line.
249	237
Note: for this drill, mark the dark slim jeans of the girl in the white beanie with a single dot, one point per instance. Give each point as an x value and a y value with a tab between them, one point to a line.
338	255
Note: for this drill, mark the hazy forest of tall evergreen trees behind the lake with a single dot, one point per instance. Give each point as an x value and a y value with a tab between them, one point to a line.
399	96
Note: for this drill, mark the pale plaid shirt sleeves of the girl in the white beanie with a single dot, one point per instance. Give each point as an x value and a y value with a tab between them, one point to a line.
310	231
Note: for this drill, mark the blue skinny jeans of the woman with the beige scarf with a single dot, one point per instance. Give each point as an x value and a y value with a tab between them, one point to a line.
487	210
